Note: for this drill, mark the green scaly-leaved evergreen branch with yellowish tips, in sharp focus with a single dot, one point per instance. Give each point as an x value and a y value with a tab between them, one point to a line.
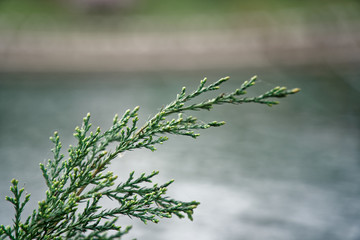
72	207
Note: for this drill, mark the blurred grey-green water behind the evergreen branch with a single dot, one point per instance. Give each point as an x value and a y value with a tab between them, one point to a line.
289	172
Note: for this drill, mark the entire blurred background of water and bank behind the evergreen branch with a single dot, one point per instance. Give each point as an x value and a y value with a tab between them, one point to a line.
285	173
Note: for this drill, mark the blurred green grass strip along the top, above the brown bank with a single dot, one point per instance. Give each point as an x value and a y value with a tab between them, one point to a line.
169	15
